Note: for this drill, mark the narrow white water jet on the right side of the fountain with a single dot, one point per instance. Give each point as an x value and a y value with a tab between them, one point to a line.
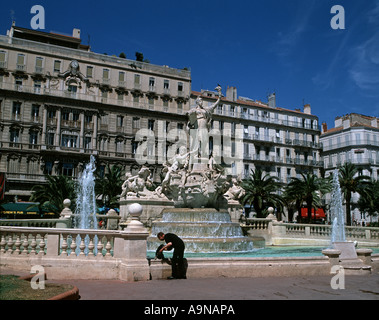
336	210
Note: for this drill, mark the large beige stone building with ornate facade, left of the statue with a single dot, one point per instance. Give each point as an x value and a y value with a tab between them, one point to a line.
60	103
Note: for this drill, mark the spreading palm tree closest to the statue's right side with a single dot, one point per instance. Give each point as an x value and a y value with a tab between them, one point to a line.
260	192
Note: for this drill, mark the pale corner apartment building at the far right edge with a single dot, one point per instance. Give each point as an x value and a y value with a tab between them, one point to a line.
355	139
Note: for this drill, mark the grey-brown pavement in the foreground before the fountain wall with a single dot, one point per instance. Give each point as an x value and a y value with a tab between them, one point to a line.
230	289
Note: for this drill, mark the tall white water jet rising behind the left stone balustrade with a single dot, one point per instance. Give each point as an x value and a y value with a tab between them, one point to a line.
85	212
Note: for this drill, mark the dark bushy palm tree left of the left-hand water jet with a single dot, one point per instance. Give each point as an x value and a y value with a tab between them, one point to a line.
51	195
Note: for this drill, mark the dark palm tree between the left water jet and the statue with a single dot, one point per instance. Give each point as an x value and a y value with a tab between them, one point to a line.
109	187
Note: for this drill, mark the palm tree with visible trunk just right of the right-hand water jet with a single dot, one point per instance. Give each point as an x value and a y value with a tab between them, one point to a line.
350	182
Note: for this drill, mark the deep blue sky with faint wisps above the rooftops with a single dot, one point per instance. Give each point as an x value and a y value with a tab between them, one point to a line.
287	47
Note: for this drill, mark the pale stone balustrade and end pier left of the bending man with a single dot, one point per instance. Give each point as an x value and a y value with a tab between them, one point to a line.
104	254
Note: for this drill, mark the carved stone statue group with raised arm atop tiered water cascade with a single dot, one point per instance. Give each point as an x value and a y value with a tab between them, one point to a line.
197	190
